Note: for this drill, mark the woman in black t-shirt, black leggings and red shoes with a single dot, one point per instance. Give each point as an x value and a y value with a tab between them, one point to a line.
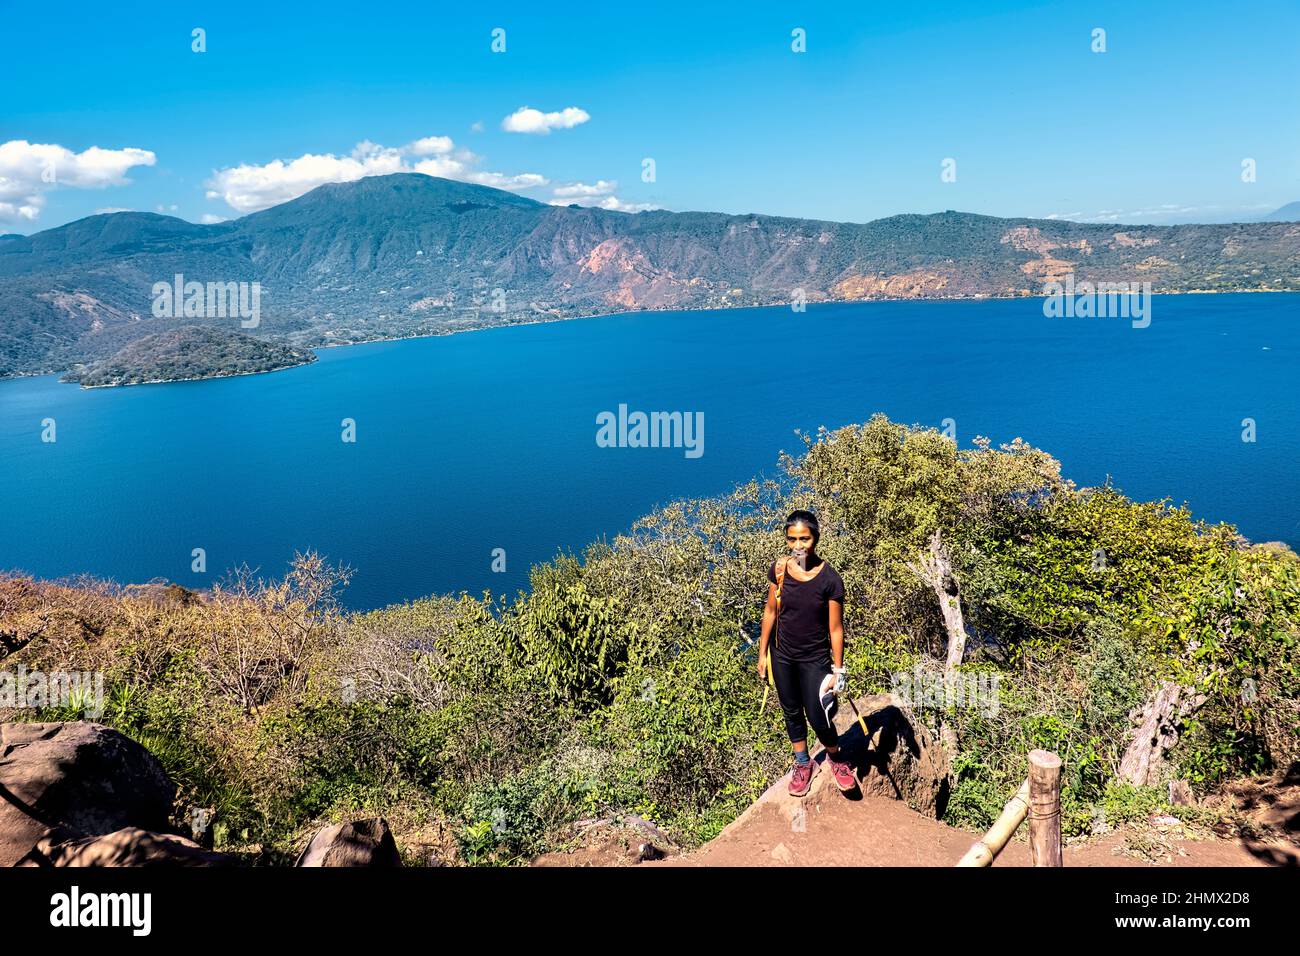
809	650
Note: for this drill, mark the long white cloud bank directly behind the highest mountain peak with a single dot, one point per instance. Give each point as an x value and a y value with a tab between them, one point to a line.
250	188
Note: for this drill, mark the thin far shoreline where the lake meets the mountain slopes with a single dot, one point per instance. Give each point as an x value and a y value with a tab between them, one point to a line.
623	313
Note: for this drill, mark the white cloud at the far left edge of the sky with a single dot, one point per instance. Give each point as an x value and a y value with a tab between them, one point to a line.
29	171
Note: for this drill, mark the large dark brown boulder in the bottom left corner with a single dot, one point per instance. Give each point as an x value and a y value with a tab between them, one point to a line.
83	780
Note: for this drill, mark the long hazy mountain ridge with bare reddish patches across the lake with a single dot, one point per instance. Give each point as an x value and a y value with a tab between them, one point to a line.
401	256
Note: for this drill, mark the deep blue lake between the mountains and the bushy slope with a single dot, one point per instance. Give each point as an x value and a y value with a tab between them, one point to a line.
487	440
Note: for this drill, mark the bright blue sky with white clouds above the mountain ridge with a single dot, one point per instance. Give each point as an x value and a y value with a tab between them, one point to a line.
859	127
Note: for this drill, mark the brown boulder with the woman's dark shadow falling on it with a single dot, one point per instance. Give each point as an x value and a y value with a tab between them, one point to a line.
904	762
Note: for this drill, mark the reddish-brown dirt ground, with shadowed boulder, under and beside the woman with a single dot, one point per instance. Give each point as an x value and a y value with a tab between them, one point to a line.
905	777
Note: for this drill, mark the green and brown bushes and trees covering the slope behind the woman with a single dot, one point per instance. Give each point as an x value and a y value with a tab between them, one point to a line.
625	681
